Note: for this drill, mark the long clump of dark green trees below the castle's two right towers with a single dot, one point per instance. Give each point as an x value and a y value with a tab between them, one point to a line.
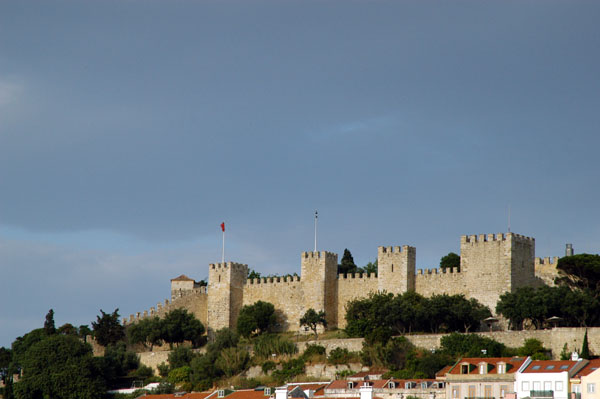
383	315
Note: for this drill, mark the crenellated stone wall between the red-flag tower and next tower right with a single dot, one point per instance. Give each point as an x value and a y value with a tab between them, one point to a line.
285	293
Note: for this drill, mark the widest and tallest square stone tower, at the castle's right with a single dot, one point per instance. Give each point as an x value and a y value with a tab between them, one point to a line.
494	264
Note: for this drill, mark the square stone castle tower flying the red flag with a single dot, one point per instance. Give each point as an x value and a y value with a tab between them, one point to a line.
226	293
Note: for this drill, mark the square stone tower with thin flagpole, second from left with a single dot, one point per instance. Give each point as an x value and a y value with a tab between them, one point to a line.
319	283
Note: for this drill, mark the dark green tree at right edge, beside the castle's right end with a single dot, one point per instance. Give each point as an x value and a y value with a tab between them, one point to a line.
580	272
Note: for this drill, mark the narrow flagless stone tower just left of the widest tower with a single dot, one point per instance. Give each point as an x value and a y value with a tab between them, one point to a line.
396	269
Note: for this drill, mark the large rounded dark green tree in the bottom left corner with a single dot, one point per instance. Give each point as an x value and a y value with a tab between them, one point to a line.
60	366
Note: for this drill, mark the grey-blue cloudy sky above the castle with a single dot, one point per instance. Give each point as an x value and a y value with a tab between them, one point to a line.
129	130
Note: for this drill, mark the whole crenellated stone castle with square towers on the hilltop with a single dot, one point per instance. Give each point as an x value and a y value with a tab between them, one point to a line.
490	265
